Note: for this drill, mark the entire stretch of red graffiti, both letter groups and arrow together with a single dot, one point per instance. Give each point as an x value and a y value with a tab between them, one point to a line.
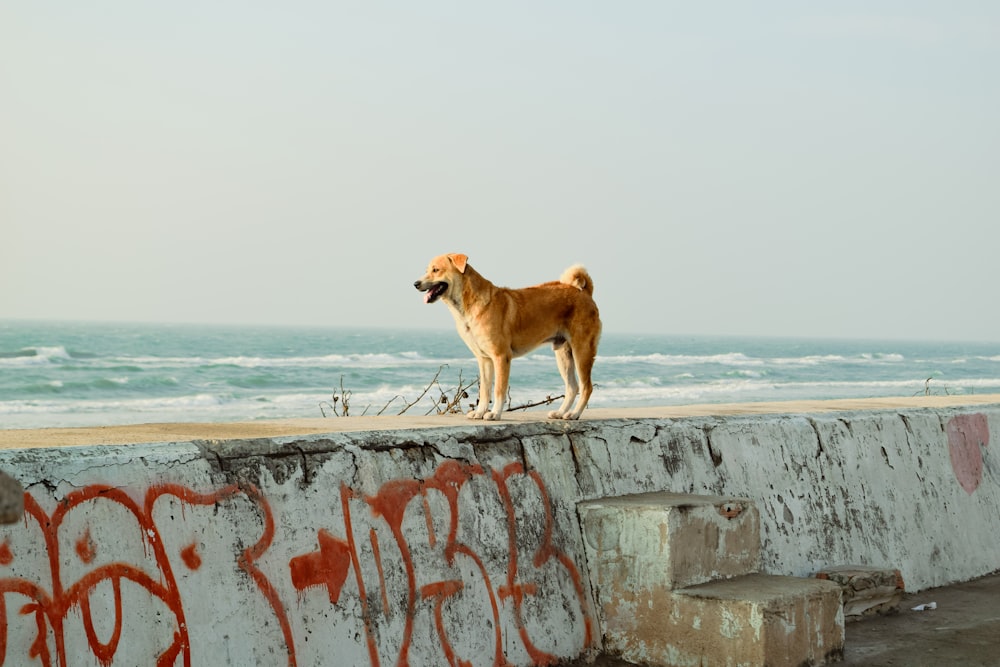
412	574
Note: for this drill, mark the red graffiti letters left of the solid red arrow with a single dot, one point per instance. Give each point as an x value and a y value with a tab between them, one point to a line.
94	563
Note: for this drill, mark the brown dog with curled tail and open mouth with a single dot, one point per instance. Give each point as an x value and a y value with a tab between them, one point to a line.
499	324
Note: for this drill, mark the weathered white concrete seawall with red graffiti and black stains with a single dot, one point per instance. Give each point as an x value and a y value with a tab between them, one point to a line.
455	545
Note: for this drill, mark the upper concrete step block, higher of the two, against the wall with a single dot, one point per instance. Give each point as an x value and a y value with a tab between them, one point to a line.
663	541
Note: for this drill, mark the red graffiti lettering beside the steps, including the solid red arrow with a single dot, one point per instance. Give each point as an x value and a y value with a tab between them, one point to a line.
391	504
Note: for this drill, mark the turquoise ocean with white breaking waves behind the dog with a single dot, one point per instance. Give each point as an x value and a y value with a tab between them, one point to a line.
87	374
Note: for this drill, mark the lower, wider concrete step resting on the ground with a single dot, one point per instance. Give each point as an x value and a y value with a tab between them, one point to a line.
753	621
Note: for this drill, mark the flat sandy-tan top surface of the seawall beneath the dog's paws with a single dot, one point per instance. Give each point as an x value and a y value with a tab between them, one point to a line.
183	432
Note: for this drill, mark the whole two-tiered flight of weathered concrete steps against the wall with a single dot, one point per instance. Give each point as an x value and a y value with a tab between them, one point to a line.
673	578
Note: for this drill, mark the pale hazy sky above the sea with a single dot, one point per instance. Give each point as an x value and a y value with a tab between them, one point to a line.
752	168
